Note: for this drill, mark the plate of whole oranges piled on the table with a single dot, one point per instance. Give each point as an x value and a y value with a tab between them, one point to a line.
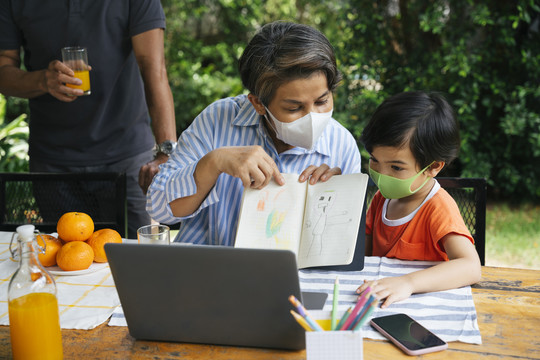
77	249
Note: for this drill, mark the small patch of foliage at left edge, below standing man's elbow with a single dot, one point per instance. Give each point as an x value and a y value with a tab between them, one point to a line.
13	142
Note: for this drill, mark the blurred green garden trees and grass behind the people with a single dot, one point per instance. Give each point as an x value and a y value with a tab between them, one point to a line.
483	56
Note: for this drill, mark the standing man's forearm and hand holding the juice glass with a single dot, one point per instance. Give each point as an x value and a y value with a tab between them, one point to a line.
30	84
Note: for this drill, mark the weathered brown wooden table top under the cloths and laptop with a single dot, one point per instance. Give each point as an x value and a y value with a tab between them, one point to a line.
507	302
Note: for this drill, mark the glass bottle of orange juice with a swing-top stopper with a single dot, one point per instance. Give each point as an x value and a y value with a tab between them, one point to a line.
33	307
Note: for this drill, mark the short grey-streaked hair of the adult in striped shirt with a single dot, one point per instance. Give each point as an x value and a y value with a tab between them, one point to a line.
281	52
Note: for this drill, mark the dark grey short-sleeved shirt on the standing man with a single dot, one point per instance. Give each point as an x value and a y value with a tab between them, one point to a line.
113	122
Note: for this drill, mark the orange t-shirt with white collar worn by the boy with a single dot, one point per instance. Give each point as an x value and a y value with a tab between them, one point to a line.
419	238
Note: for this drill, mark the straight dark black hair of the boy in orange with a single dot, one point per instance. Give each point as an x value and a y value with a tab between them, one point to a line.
425	120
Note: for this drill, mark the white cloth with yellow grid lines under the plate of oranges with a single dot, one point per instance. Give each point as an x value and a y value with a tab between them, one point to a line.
85	301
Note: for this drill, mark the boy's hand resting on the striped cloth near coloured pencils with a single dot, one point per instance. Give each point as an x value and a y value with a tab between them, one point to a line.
392	289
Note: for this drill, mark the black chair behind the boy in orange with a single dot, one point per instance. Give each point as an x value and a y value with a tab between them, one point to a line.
470	196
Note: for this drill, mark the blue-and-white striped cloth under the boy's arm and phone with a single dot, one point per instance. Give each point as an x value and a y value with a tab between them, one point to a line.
450	314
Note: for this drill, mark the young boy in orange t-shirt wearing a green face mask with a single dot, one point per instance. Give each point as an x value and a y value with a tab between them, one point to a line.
410	138
